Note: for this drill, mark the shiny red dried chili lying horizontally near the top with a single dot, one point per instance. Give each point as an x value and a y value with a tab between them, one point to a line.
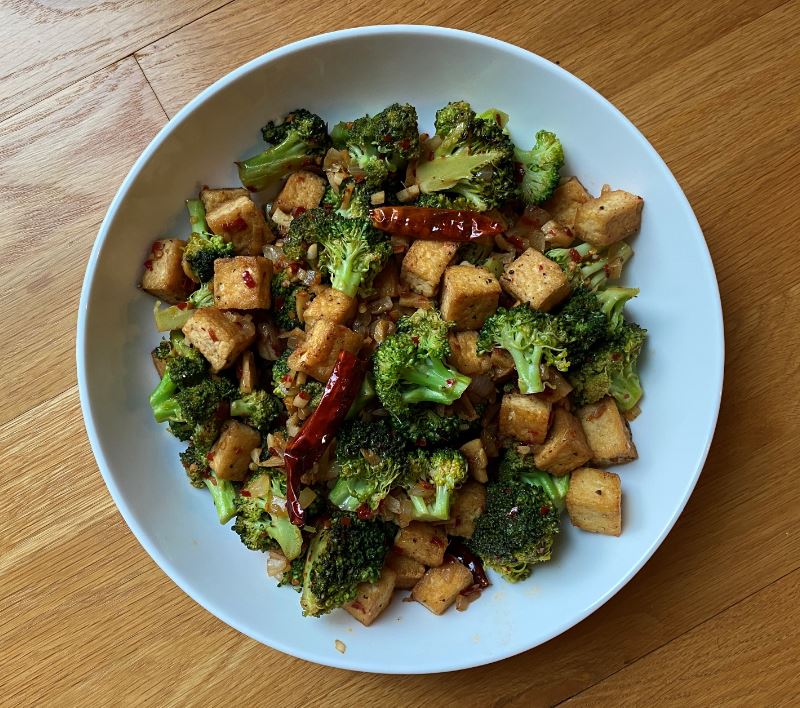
435	224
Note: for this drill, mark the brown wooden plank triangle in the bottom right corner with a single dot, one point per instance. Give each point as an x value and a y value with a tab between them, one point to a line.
746	656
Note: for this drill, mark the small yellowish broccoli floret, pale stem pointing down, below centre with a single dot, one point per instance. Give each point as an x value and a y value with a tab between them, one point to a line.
430	481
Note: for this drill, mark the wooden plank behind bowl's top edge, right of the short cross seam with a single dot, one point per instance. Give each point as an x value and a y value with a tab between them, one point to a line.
593	40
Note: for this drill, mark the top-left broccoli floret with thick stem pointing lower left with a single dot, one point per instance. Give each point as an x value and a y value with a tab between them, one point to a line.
300	140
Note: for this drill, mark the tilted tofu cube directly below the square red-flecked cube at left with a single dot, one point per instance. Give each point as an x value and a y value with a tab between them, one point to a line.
219	336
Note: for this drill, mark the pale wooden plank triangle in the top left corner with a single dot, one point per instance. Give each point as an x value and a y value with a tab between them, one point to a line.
46	46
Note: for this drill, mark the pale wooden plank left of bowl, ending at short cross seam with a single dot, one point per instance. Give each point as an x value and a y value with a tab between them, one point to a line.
62	161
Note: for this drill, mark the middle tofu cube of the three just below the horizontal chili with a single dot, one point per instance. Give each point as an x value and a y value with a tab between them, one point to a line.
469	296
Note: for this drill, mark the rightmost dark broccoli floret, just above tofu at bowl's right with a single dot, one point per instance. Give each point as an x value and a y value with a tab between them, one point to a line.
611	370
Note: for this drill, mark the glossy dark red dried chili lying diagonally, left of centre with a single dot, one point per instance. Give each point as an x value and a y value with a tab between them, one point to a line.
320	428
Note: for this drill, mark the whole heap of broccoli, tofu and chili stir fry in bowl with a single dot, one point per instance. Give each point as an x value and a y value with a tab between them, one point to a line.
399	358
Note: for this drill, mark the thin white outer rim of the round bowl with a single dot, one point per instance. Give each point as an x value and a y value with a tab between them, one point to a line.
142	534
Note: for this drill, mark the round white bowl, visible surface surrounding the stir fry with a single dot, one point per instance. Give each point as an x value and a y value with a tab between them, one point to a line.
346	74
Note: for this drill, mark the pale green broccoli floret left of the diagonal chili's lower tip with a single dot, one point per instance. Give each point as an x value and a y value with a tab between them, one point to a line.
259	522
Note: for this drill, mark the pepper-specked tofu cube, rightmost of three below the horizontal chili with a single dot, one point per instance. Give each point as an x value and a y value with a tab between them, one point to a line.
535	279
